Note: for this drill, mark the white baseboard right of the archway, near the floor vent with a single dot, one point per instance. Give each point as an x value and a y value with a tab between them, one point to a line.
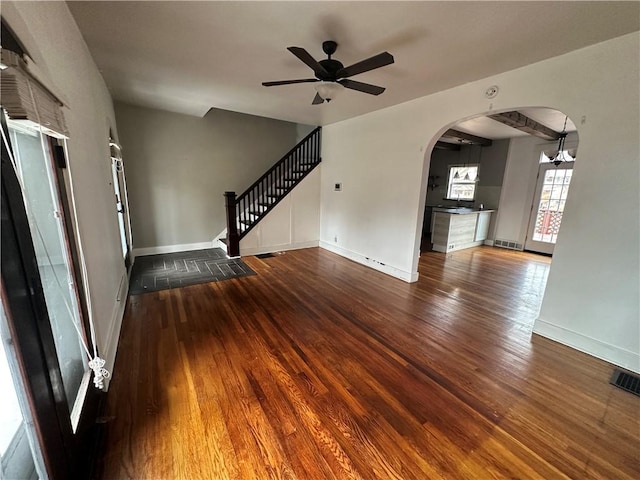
596	348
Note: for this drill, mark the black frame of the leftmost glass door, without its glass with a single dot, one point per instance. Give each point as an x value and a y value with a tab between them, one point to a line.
66	454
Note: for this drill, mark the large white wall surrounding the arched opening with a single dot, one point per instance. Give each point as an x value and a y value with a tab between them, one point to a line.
593	293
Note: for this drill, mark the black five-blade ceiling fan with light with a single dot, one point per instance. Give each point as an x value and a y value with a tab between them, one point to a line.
332	76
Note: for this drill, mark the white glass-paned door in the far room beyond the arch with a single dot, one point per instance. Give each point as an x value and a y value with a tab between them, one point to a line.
548	206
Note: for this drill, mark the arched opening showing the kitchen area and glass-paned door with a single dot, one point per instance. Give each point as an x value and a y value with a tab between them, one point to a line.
498	184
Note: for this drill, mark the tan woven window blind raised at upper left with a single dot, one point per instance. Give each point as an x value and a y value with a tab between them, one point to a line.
25	99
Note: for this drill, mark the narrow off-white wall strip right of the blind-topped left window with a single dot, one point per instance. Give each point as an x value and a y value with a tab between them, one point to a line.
50	35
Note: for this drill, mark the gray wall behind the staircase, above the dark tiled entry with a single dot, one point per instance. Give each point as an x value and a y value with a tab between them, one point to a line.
178	167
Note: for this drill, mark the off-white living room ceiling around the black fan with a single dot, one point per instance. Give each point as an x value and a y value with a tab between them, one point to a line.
188	57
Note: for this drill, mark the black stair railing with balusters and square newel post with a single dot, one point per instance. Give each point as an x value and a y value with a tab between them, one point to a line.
246	210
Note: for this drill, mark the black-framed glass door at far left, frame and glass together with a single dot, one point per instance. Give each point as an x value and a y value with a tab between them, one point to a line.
40	298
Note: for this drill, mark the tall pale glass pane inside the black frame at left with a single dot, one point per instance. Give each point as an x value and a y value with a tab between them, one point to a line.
34	167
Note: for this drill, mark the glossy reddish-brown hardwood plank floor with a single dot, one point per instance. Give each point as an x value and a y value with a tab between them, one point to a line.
319	368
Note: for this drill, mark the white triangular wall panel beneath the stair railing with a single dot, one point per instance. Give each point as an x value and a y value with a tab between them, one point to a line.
293	223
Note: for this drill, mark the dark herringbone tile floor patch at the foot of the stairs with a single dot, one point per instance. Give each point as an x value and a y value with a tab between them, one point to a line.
152	273
